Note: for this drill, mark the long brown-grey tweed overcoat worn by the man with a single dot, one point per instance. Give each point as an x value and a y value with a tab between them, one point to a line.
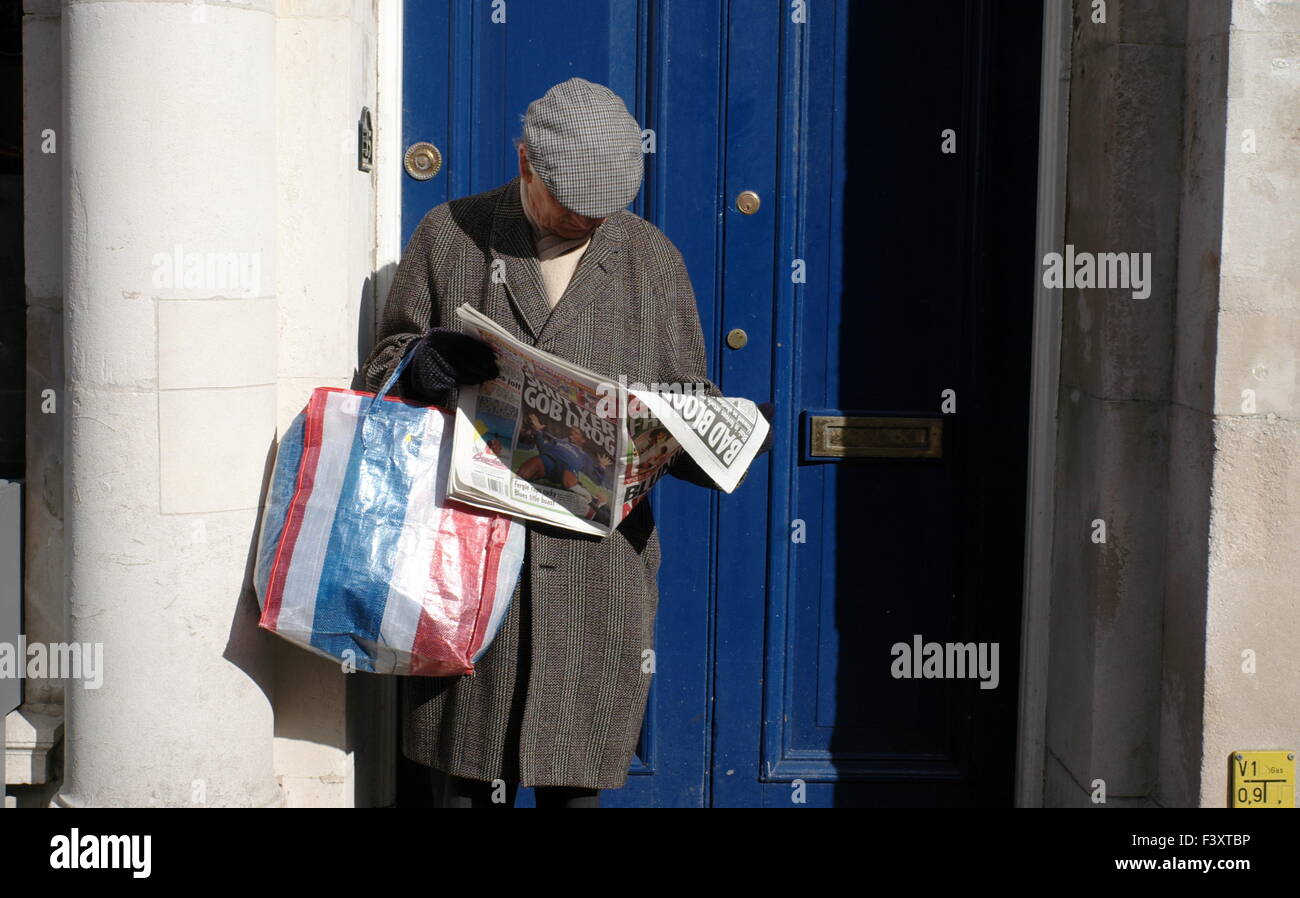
560	697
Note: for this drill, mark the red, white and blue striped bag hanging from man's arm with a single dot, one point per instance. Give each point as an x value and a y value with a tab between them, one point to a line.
361	557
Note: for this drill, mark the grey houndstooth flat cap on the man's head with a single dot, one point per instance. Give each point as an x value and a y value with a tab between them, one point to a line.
586	148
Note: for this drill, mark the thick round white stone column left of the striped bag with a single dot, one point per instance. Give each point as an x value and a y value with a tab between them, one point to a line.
168	149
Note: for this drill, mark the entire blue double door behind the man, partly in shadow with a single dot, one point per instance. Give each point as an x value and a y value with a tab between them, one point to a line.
877	274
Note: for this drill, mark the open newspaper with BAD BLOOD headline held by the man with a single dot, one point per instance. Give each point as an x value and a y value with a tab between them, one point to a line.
553	443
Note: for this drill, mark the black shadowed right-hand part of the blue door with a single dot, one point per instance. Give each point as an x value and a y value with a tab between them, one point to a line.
937	296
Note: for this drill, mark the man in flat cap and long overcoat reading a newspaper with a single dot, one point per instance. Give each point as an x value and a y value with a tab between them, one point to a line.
556	259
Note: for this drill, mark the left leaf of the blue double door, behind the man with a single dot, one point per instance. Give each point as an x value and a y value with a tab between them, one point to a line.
467	85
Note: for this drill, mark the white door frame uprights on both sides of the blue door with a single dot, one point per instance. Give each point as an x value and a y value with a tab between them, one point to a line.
1046	365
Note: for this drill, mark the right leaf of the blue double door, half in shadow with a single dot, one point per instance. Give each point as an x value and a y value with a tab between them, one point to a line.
918	272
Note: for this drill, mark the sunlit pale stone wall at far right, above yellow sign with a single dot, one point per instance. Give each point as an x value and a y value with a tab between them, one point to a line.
1254	571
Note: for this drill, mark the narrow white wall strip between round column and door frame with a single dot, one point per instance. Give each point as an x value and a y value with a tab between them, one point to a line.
326	75
